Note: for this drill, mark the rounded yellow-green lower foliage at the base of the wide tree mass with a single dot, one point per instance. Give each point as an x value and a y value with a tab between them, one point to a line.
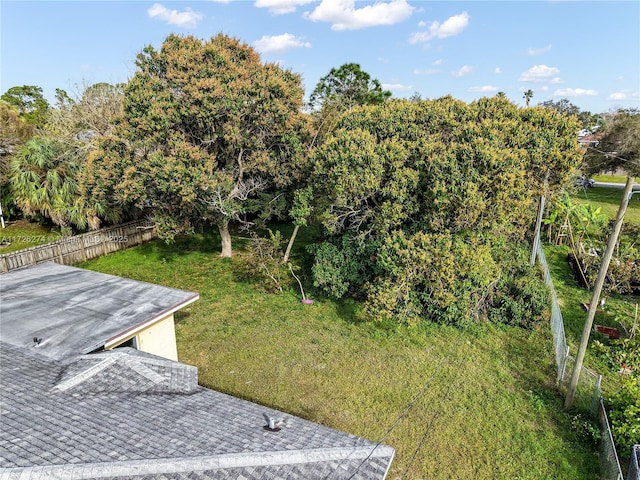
437	276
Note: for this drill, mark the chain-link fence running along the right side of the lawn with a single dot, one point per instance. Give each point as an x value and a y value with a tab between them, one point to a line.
588	393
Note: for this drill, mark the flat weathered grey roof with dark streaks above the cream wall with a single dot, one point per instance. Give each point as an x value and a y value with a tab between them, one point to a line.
82	309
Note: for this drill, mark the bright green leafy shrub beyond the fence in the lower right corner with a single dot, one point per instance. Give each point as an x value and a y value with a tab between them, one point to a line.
624	415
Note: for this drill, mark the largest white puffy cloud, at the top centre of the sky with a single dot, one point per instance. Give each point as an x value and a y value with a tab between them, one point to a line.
344	15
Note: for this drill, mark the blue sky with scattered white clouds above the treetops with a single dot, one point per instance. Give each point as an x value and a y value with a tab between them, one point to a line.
585	51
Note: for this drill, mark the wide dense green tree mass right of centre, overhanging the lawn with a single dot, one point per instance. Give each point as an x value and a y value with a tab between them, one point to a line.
423	203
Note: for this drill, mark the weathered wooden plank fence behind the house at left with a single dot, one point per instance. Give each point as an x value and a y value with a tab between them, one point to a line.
80	248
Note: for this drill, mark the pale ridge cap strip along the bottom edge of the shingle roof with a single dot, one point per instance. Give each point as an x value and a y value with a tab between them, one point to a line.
190	464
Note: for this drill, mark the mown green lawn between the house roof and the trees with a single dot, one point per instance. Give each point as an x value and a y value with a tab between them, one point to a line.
489	407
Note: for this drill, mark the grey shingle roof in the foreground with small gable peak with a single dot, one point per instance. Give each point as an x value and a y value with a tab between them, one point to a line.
125	414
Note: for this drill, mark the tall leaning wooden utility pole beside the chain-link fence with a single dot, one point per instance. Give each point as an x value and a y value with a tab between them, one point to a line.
595	298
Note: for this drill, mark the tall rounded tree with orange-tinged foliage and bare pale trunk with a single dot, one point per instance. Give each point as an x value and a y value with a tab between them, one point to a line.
209	132
